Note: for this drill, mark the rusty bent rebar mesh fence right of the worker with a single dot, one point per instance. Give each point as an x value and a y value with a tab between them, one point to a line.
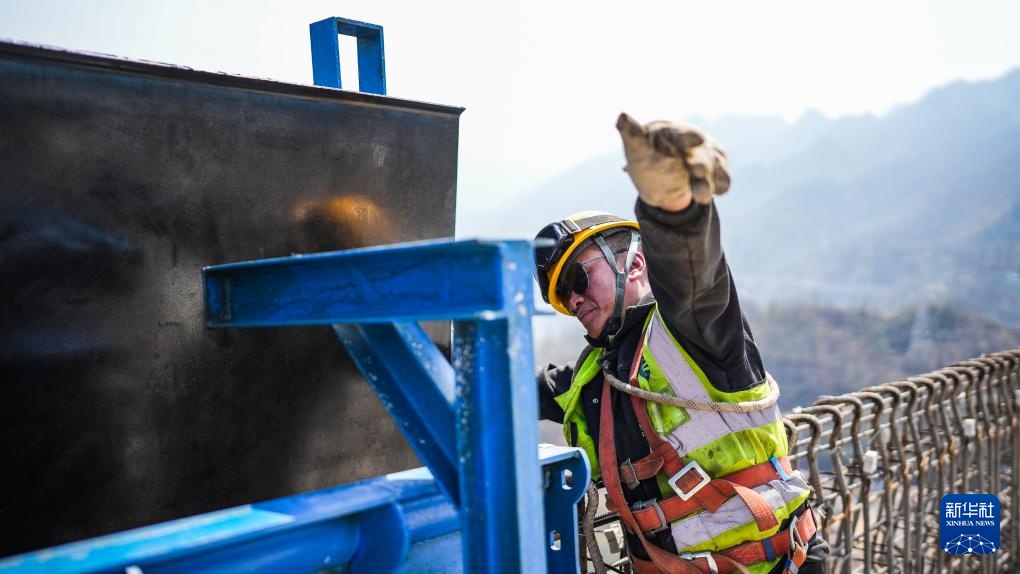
881	459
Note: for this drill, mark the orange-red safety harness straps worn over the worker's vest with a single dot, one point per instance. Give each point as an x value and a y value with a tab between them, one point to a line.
696	491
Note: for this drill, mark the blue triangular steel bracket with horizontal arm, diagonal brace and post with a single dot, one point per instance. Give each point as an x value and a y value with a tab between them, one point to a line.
473	423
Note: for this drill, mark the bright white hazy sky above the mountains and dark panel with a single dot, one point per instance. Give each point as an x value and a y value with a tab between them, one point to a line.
543	82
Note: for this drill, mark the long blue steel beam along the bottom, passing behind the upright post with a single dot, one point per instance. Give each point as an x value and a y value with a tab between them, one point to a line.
397	524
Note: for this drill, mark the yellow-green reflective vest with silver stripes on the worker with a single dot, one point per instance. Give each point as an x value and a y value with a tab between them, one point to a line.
722	443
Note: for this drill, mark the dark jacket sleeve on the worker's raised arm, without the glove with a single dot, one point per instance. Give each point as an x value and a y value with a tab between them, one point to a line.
695	291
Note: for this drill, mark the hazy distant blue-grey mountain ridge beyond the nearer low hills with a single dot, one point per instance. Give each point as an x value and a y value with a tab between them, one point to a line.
882	212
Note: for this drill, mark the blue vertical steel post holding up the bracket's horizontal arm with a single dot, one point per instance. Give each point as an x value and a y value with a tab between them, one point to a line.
500	482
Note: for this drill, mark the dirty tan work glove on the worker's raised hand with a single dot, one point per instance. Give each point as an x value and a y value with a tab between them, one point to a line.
669	161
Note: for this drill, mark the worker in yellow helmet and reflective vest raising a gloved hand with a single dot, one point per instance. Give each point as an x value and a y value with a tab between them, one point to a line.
671	399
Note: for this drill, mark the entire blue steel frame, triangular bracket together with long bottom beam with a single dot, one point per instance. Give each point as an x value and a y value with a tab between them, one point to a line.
474	424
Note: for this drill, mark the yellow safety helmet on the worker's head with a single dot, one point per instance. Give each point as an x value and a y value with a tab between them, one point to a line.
557	242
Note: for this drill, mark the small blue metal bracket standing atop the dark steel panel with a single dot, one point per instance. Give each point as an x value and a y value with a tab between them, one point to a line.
326	54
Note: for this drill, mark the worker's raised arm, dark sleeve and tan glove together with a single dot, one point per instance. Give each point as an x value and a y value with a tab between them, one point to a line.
678	171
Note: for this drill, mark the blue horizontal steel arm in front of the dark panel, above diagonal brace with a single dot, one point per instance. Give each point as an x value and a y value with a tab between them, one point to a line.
430	281
